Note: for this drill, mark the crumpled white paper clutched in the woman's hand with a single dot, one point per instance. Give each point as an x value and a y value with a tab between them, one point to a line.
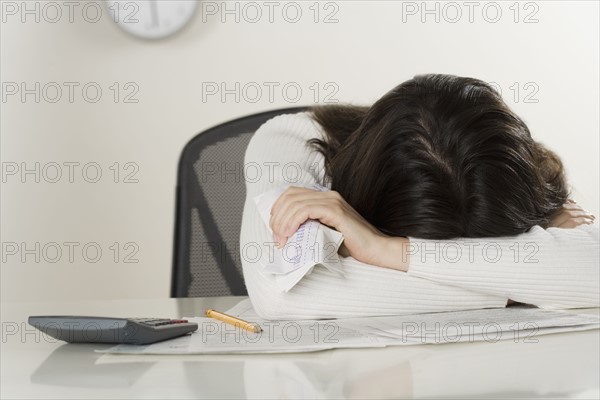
312	244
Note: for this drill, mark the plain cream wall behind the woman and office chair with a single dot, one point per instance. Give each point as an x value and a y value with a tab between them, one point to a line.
366	53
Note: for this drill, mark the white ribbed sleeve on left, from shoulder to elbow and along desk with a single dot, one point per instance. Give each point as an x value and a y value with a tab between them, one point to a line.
278	154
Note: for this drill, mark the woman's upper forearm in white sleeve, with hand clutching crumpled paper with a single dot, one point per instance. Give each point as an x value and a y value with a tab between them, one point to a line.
553	268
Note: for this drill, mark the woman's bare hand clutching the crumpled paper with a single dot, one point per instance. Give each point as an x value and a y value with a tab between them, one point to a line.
362	240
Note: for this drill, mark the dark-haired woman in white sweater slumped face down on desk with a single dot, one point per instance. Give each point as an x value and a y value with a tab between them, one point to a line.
444	200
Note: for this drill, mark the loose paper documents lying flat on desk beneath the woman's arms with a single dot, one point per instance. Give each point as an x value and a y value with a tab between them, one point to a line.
517	323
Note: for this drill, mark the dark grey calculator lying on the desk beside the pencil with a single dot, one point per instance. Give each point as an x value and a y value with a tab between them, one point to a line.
81	329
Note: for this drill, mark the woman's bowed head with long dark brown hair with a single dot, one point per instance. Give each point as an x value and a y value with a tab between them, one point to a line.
438	157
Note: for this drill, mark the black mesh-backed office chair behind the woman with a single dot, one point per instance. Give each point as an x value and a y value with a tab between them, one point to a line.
210	198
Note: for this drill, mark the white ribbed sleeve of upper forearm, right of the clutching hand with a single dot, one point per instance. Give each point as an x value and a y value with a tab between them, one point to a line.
551	268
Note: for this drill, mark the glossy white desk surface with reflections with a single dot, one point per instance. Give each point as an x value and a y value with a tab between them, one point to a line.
558	365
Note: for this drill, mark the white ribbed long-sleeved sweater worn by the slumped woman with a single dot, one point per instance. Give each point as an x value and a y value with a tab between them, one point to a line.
552	268
